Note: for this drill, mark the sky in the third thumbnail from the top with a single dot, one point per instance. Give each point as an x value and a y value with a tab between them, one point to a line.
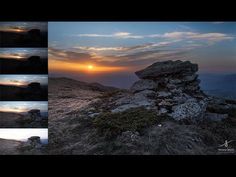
22	80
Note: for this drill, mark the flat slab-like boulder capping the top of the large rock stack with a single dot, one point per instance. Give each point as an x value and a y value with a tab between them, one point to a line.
159	69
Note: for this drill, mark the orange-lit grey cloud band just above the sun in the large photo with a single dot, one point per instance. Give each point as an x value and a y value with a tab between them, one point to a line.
131	59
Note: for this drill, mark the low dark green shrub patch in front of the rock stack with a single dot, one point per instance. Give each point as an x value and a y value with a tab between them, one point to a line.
135	119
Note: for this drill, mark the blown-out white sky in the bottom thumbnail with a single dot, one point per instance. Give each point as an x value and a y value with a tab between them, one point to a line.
22	134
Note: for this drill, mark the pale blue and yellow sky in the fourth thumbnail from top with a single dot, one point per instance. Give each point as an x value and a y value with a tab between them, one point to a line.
23	106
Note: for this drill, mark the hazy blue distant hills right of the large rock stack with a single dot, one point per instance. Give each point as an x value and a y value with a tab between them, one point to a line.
219	85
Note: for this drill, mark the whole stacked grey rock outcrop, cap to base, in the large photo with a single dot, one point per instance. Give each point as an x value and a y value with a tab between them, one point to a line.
170	87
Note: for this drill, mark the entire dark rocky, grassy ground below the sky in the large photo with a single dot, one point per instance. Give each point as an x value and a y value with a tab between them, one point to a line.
164	112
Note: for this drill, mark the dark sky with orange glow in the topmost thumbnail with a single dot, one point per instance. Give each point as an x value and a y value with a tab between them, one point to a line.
19	27
